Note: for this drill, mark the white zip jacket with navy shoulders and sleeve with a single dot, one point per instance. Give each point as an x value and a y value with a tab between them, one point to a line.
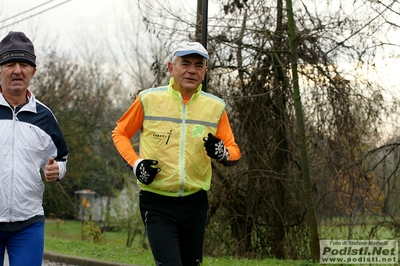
29	137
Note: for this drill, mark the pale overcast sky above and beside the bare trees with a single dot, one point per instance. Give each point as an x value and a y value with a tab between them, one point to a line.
68	19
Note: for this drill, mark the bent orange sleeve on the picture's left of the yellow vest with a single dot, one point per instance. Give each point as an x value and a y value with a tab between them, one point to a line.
130	123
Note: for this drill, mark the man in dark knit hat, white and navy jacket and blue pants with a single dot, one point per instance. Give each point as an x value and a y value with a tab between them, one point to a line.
30	140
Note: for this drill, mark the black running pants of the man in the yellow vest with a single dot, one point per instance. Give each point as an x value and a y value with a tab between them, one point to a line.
175	227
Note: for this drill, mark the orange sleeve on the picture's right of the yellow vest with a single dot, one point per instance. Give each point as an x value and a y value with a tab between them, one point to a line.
224	132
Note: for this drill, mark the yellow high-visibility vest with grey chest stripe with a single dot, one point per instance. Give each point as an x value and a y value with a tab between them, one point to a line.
173	135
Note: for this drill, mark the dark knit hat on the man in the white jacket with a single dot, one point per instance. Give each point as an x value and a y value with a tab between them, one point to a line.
16	47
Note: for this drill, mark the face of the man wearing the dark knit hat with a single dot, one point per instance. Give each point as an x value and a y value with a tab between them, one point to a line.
15	77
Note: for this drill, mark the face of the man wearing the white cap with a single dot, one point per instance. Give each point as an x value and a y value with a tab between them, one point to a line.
188	72
